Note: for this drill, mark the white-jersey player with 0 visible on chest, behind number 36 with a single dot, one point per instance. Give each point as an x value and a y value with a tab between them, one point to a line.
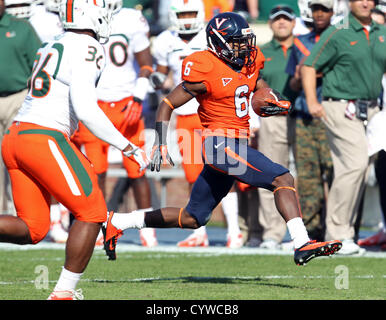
120	94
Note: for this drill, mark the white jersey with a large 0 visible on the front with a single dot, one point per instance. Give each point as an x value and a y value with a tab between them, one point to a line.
128	36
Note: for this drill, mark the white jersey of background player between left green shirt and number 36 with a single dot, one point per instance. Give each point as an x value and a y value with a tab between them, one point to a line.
46	24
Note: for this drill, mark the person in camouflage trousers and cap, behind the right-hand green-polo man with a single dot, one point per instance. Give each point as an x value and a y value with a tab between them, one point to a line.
312	154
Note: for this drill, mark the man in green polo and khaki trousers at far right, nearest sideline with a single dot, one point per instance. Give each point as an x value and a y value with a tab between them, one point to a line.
352	60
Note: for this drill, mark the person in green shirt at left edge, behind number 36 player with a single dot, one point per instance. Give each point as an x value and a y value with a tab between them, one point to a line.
19	43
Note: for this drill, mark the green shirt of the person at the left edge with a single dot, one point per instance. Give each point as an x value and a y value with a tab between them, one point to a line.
18	45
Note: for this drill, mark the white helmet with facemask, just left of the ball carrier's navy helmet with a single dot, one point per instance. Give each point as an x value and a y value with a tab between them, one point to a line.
179	6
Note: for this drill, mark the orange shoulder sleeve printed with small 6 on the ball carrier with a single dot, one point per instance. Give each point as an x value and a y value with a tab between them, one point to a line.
196	68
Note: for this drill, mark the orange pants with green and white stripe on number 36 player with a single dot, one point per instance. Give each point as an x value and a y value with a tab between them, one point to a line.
42	162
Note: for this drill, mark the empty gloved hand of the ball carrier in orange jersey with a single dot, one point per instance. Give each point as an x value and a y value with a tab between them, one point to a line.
160	152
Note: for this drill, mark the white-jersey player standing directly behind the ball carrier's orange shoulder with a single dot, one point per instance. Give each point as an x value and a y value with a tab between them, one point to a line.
187	35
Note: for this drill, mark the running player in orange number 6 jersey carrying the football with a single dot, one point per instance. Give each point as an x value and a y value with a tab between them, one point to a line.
222	79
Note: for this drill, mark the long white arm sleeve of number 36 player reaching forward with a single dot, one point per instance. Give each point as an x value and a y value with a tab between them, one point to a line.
84	101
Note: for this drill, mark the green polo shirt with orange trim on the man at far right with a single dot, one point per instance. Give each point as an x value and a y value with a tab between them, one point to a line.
351	59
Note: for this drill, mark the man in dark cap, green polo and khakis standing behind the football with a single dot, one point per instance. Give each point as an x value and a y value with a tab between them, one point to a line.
274	136
